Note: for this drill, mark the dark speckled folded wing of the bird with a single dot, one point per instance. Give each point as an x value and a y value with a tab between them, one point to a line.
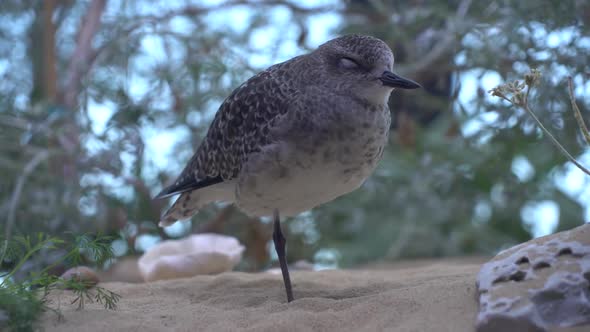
241	126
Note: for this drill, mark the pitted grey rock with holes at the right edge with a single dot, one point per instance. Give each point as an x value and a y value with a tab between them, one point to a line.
538	285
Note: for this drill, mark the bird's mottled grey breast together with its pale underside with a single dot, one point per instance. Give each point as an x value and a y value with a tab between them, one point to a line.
328	158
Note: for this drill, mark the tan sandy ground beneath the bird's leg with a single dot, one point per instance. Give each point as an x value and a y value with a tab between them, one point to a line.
419	296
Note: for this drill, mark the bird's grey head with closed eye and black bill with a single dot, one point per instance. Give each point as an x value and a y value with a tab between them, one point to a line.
362	66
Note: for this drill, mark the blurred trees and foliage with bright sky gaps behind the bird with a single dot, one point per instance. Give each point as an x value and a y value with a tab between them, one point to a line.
102	102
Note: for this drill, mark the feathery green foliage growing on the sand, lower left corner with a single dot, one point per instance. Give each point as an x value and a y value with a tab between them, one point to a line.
23	301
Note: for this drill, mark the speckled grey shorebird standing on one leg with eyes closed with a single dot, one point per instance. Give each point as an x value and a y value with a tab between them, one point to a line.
294	136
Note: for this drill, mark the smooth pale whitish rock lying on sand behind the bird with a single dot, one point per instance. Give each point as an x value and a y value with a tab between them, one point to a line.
194	255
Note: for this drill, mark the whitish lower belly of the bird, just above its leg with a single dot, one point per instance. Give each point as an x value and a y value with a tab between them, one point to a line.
295	181
